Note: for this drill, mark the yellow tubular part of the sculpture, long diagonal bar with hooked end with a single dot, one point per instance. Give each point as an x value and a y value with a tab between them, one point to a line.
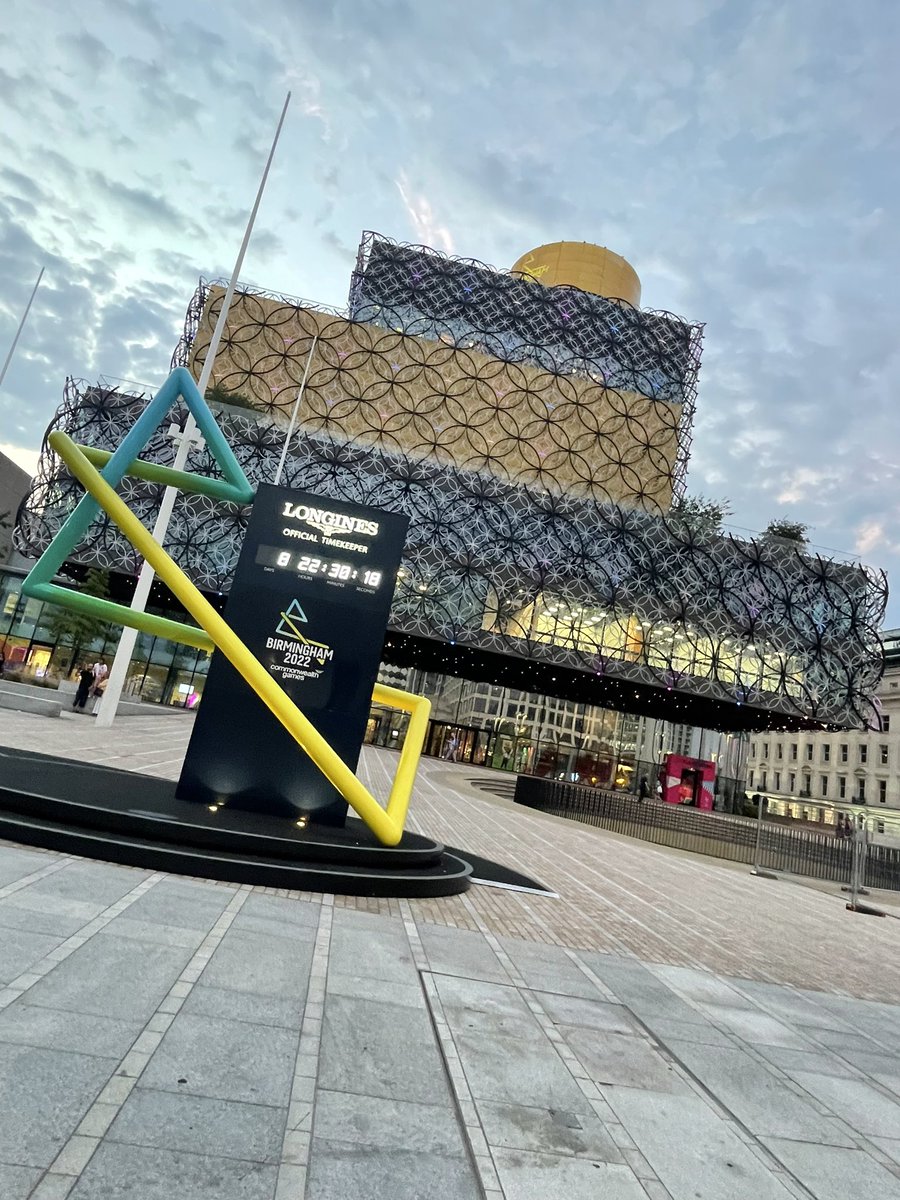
387	824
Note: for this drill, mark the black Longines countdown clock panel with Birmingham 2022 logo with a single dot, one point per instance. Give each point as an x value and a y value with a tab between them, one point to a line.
311	599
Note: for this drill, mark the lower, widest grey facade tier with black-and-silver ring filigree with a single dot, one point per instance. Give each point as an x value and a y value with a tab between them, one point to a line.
761	633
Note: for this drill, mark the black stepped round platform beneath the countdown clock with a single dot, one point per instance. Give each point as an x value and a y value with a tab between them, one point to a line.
97	812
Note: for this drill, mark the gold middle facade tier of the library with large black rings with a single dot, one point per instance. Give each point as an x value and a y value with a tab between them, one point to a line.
431	400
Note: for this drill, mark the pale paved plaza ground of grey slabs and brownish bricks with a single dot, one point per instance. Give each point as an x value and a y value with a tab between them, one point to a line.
665	1027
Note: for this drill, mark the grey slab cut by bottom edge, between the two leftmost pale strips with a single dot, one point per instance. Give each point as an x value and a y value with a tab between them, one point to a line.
119	1172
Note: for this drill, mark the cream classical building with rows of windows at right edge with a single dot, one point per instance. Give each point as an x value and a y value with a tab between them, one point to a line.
836	771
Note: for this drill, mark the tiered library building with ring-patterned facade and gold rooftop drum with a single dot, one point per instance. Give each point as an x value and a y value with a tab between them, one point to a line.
536	427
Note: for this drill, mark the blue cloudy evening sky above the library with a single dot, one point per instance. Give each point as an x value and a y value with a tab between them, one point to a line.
742	154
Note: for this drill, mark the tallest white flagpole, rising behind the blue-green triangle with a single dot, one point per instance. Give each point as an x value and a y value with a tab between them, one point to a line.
185	439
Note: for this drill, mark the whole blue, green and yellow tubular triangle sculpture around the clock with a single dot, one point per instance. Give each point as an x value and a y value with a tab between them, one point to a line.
388	823
